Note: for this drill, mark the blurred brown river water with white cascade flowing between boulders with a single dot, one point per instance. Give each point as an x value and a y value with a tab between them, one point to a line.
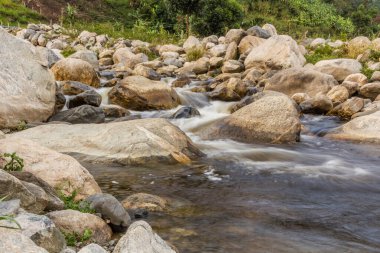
318	195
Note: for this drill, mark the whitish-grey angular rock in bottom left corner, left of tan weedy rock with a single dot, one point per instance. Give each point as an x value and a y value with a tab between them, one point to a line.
40	229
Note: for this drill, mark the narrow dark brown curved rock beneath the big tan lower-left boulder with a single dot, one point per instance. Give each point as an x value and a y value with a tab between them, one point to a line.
52	199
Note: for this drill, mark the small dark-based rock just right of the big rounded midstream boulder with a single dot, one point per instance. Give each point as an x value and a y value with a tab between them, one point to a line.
319	104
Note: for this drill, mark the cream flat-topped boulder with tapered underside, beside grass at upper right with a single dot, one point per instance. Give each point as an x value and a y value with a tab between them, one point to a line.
339	68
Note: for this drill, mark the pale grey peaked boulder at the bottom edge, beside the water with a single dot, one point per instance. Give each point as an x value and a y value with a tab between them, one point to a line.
140	238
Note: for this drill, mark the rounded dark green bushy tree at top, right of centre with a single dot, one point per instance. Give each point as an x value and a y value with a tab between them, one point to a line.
215	16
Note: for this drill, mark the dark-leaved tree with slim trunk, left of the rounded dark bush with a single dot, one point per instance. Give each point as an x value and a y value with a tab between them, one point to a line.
185	8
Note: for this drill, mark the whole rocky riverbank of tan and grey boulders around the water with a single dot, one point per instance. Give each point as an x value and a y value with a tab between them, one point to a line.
53	106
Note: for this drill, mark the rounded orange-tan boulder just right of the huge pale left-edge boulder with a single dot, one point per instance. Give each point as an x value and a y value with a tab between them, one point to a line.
72	69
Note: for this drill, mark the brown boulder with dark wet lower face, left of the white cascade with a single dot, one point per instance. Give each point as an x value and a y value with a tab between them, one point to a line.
140	93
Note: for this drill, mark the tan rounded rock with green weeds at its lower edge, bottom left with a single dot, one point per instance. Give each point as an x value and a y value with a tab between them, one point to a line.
71	221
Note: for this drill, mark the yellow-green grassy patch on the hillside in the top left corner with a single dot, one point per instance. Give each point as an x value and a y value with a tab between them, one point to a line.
13	12
